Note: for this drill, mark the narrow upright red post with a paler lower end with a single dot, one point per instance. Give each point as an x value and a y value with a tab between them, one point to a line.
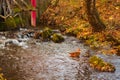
33	14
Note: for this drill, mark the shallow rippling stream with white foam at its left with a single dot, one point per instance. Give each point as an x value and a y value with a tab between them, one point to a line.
25	58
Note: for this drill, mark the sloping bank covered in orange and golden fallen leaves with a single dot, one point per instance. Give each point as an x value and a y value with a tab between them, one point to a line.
70	17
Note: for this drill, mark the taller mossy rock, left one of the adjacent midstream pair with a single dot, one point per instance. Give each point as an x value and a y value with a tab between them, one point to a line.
46	34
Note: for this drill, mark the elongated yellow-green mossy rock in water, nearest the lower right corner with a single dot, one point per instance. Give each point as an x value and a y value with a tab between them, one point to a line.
100	65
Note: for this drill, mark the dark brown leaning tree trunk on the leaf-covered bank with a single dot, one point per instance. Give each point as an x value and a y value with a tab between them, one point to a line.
93	16
